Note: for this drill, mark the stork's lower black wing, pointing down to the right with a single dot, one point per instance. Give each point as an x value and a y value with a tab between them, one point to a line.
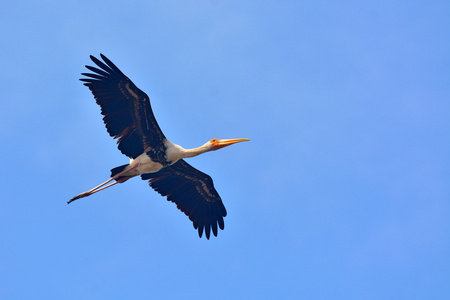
194	194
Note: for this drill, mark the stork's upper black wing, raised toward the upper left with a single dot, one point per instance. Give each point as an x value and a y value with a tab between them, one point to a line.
126	109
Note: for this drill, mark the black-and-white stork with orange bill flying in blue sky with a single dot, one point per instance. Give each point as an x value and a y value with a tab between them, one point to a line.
128	117
